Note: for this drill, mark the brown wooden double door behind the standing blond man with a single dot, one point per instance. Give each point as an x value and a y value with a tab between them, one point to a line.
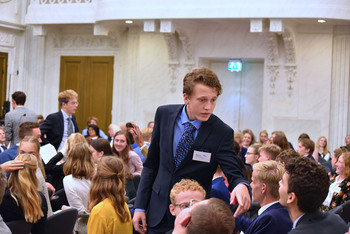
92	79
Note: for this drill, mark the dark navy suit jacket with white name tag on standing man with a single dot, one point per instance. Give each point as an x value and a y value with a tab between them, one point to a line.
160	174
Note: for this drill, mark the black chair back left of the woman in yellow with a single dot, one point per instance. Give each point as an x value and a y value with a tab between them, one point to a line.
62	222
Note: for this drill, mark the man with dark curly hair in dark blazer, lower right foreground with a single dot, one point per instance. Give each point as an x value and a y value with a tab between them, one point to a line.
303	188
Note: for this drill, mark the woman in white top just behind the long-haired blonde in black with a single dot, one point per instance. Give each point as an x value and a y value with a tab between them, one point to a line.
31	145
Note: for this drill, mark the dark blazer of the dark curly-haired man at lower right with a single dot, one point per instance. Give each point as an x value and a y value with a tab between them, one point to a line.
319	223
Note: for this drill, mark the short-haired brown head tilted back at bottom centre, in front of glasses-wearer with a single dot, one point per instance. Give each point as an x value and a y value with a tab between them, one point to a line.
205	217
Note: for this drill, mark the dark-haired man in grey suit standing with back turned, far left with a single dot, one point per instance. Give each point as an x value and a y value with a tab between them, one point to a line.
18	115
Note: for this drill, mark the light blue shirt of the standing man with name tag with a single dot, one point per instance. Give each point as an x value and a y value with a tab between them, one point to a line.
179	127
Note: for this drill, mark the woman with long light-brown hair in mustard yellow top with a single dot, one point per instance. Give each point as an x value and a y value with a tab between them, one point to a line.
107	203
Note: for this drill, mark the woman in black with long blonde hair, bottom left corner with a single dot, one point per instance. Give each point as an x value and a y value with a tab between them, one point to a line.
22	201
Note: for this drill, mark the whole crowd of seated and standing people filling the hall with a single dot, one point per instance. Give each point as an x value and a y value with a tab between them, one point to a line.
186	172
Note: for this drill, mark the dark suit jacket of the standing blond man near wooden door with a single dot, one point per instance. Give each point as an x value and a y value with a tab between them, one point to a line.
53	128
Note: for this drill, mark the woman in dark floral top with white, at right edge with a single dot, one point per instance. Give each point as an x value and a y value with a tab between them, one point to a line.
339	189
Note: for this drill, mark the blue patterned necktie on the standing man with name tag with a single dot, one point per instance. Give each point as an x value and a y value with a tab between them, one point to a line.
185	143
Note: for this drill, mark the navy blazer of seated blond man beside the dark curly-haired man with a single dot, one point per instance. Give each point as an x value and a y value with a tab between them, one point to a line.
274	220
